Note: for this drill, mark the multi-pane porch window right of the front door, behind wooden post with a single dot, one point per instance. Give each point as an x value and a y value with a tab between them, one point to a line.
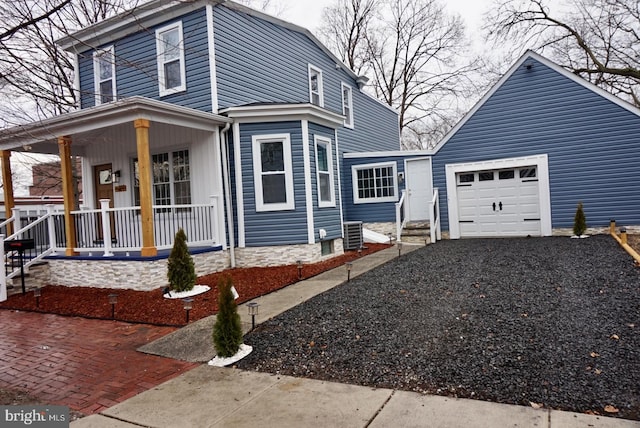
171	178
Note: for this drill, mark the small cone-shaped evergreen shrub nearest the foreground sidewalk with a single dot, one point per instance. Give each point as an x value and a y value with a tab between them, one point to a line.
227	331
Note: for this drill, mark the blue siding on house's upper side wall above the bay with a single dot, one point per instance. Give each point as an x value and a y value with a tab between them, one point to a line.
260	62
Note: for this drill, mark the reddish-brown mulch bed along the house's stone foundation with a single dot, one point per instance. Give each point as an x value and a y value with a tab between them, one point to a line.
150	307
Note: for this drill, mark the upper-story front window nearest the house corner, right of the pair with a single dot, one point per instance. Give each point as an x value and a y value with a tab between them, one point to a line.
171	69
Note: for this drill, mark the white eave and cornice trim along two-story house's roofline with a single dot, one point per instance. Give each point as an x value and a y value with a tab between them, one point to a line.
158	11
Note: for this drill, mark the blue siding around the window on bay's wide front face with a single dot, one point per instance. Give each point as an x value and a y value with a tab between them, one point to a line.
274	227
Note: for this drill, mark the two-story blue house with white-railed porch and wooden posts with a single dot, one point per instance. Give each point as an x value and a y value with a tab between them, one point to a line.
211	117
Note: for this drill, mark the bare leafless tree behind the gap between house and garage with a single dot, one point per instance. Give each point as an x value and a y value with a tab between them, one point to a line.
414	52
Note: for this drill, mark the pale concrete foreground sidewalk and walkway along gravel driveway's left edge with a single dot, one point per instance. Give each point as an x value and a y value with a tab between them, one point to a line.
225	397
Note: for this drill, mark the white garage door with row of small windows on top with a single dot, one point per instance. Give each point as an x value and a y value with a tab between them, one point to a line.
501	202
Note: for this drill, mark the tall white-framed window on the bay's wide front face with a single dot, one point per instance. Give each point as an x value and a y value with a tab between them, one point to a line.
273	172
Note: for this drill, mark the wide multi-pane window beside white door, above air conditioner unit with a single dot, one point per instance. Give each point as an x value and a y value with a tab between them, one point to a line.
374	183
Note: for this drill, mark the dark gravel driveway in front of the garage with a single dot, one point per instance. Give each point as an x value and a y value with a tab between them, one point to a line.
551	321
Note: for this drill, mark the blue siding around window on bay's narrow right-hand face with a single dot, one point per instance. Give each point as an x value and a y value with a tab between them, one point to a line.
327	218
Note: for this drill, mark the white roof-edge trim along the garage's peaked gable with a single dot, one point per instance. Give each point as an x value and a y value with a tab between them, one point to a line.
528	55
